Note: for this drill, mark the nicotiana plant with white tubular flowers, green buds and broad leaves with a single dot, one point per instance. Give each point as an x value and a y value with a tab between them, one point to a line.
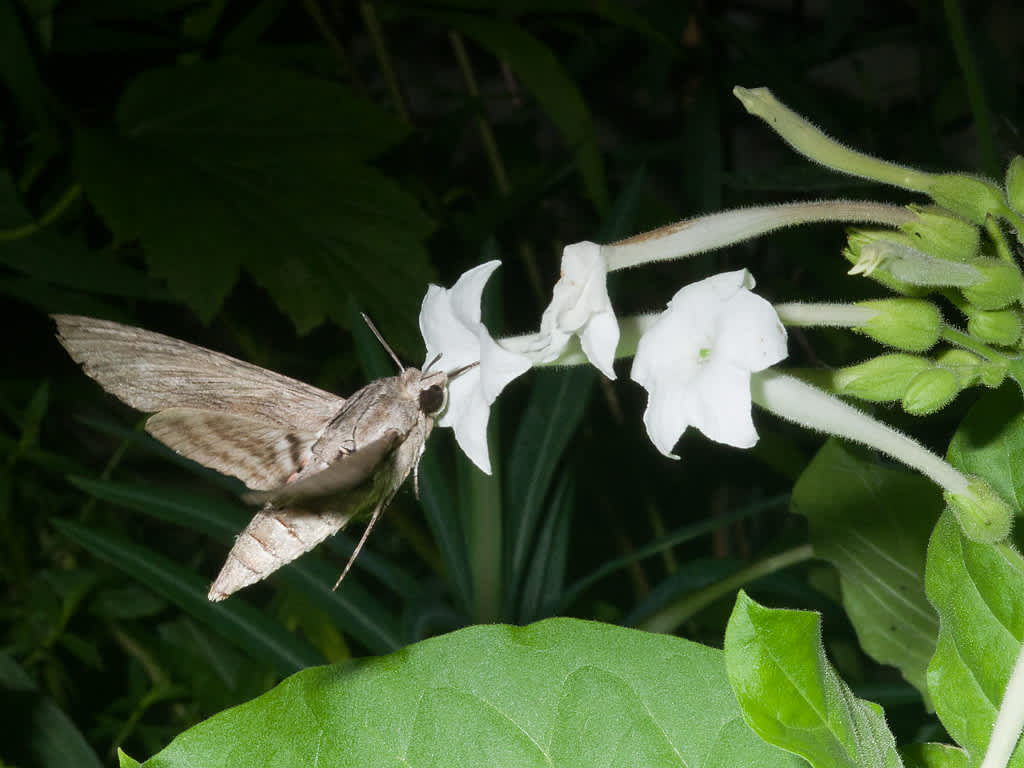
937	593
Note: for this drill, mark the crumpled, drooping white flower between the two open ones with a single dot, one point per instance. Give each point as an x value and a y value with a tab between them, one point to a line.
580	306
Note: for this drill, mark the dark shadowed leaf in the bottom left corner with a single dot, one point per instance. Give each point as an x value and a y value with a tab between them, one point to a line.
47	736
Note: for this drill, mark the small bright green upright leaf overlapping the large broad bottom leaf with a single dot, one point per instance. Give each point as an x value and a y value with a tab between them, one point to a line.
792	696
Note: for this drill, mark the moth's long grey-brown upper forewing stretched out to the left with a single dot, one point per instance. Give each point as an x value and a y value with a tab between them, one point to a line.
152	372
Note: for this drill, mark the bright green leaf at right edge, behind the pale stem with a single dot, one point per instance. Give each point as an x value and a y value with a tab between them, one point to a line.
978	591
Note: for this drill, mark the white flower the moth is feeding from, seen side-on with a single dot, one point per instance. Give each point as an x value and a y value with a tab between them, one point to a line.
450	323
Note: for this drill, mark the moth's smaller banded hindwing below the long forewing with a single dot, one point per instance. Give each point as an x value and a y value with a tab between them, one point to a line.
263	456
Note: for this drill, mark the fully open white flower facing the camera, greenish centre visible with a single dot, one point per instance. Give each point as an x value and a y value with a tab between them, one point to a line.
696	362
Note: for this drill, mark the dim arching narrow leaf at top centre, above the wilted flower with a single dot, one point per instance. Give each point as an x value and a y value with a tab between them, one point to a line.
542	73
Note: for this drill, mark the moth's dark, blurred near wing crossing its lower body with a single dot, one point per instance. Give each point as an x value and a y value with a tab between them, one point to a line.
345	475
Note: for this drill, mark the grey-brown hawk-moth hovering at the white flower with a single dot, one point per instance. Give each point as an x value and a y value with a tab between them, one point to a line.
315	461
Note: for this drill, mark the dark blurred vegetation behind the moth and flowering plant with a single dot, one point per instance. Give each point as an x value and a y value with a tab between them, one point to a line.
250	176
